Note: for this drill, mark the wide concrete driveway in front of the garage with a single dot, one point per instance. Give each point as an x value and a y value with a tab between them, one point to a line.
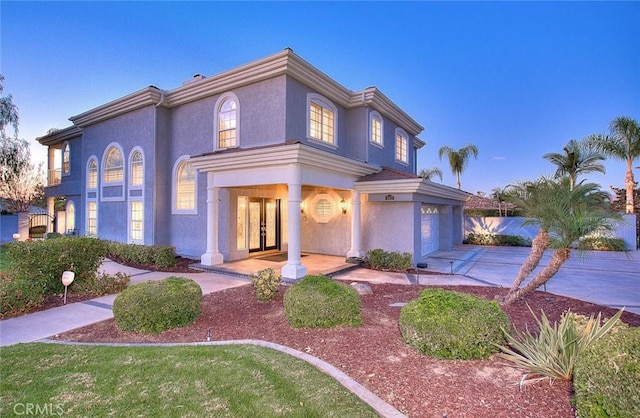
603	277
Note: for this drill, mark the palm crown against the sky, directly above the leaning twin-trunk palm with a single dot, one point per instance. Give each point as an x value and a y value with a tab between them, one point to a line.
578	158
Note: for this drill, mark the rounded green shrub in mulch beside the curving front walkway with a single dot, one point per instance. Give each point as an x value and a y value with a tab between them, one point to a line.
156	306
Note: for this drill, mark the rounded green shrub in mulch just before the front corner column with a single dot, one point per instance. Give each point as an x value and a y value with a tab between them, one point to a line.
319	302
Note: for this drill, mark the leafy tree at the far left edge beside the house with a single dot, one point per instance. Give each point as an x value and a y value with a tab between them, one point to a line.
20	180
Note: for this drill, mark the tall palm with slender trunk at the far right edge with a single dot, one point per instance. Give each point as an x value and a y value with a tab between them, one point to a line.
623	143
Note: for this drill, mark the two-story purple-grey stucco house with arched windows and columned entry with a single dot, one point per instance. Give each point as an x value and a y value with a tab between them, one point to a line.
272	155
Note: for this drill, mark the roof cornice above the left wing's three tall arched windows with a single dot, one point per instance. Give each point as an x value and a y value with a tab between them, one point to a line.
139	99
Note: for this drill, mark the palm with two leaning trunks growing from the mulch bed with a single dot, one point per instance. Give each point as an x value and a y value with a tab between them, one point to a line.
564	215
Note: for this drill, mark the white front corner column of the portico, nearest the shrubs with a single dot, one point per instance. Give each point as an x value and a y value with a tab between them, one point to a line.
294	269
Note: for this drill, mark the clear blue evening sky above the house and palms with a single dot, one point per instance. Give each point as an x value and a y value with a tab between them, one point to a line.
517	79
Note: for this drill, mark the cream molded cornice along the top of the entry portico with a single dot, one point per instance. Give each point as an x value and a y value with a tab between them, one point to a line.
281	156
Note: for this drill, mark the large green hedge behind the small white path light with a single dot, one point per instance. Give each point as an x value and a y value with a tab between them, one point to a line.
42	262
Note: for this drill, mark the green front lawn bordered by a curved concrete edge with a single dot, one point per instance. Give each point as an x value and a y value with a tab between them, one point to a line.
220	381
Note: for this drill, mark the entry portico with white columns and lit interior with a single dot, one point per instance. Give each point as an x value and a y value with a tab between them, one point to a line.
276	171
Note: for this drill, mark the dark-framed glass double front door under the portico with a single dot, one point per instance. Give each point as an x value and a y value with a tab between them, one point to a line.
264	224
